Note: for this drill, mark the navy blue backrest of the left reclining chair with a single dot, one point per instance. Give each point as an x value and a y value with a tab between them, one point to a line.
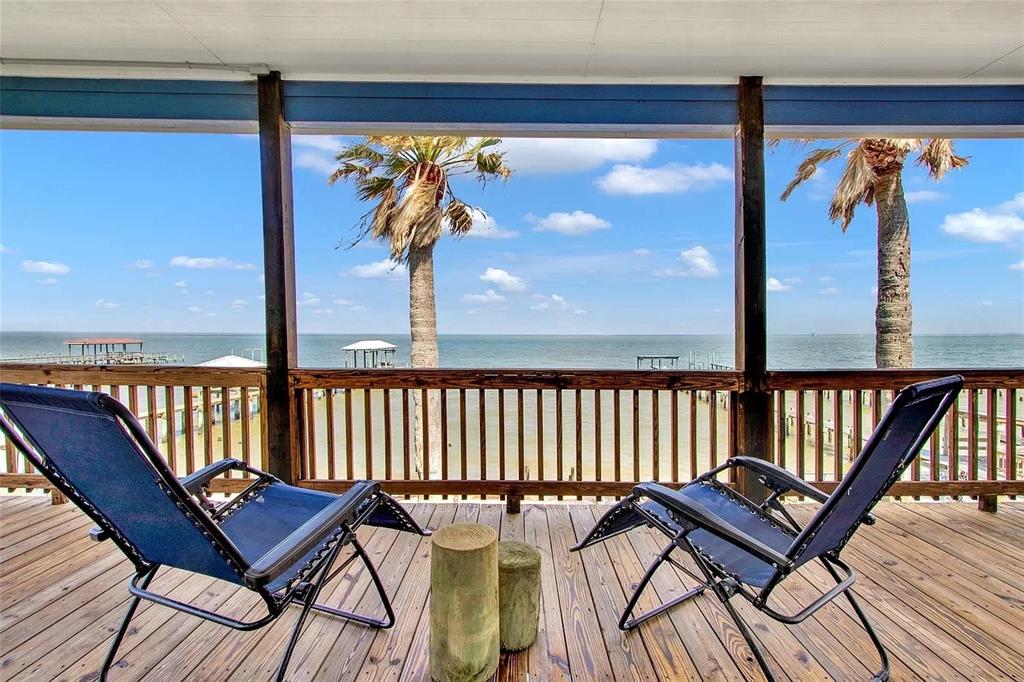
95	450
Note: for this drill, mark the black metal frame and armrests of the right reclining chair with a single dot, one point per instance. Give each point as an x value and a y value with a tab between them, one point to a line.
686	517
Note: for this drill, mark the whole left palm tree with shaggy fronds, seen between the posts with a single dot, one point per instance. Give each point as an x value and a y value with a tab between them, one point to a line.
409	179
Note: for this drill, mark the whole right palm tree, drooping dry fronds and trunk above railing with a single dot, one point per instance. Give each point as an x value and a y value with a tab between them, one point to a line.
874	176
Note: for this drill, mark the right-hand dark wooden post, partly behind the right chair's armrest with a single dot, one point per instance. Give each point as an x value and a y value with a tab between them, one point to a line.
753	408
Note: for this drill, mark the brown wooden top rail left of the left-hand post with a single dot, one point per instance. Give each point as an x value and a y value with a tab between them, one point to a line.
122	375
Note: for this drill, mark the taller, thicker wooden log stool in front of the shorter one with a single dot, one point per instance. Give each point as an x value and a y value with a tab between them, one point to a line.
464	644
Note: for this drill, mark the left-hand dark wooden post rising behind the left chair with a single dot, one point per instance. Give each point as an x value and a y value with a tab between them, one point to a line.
282	410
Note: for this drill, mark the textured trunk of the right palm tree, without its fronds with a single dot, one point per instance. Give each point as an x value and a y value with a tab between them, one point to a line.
893	344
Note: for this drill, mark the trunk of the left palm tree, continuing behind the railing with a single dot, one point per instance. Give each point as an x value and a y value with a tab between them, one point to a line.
423	329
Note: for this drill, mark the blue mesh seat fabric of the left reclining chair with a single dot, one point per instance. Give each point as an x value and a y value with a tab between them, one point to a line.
270	517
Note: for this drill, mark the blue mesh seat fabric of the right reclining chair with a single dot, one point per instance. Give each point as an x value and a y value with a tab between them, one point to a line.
727	556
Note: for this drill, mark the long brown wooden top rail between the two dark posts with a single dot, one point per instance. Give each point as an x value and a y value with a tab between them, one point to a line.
518	379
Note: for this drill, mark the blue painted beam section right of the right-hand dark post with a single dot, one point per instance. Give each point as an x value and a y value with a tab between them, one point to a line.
947	107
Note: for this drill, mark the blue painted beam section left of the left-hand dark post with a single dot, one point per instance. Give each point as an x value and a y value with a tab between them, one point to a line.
127	100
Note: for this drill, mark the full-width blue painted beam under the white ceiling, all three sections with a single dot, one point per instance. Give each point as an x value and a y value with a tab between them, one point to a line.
511	105
